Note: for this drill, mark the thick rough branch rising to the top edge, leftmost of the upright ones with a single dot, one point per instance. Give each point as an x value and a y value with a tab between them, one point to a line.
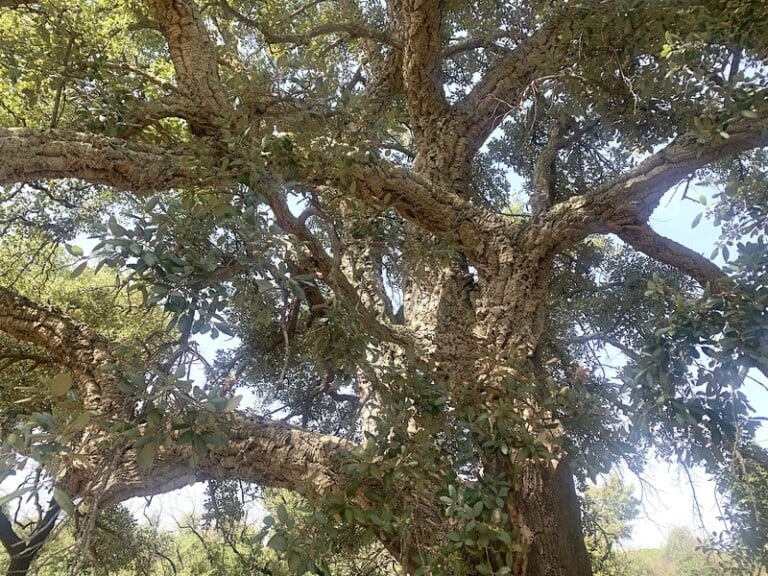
193	55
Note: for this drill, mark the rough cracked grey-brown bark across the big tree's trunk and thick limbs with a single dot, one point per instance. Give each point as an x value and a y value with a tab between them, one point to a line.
477	305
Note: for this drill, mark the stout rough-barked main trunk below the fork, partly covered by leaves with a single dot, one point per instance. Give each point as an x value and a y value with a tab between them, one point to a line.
543	507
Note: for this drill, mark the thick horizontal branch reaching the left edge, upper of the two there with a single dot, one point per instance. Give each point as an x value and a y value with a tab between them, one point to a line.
47	154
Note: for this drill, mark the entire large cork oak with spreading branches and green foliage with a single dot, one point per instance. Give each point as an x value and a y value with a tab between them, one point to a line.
424	224
